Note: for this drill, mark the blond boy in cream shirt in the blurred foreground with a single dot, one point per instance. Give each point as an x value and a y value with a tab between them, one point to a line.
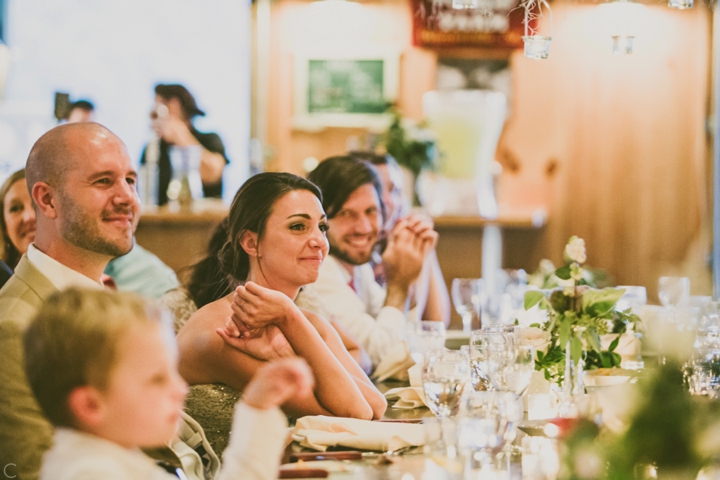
103	367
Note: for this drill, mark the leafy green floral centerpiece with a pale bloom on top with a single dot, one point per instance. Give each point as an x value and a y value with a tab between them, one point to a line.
577	319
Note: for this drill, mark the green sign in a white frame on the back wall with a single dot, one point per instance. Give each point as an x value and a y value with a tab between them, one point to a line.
344	90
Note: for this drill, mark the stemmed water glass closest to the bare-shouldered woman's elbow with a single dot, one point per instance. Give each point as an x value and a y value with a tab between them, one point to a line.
445	374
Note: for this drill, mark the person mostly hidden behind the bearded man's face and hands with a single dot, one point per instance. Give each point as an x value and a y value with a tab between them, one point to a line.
431	295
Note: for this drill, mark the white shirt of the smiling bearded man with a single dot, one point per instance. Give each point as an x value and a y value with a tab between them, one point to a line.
361	311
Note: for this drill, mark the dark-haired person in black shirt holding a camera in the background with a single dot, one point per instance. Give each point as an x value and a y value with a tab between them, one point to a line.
172	118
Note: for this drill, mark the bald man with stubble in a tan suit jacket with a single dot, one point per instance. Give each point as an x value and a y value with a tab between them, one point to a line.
82	183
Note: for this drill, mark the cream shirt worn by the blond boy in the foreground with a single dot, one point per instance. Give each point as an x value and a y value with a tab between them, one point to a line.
253	453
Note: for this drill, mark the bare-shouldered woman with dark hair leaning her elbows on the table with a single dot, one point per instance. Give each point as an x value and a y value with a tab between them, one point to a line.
275	245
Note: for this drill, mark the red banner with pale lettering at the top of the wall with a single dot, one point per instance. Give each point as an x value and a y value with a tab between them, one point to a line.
495	24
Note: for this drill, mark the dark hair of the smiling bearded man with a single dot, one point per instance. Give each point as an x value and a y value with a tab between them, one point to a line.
338	177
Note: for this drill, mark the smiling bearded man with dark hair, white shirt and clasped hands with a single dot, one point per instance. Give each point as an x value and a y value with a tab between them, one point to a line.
374	316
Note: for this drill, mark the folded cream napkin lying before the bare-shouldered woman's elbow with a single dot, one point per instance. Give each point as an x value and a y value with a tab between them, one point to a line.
320	432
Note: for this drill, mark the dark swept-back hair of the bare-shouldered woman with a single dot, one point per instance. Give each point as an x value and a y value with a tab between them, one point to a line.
226	263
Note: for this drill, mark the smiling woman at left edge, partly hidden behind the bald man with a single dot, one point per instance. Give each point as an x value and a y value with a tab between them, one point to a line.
17	223
